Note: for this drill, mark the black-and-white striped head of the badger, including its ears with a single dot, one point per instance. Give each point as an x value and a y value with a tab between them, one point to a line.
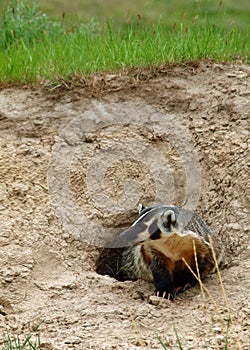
153	222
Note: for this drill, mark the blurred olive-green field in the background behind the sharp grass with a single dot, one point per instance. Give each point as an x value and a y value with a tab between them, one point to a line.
223	12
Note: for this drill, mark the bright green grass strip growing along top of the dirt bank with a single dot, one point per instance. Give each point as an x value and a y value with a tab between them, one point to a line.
35	48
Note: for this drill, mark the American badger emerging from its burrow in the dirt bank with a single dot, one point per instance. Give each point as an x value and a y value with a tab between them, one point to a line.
159	241
